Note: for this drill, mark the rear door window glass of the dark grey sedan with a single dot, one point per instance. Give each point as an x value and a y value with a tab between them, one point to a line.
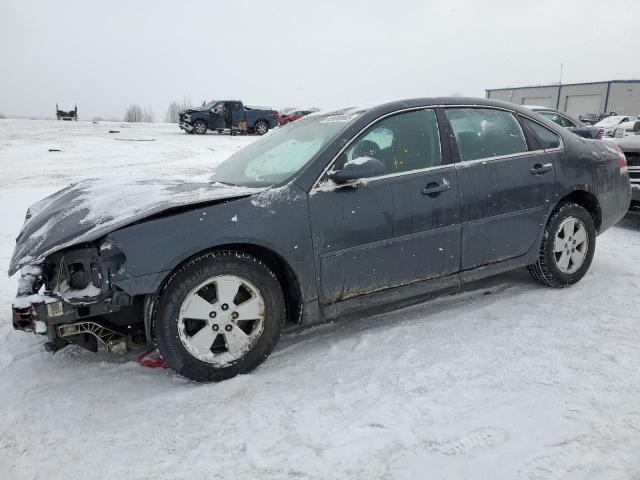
485	133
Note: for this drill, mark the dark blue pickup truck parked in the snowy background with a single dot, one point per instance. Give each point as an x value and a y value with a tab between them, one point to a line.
227	115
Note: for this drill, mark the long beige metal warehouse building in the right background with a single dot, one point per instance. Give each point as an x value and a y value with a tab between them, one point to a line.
620	96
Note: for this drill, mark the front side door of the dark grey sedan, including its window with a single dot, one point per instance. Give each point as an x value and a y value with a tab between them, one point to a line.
395	229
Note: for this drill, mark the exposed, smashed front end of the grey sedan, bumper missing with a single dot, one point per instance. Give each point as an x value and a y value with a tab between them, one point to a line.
71	299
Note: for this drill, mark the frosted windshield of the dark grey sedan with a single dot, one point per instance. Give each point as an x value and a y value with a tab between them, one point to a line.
275	158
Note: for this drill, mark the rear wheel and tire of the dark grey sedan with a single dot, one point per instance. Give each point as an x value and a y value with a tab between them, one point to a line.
567	249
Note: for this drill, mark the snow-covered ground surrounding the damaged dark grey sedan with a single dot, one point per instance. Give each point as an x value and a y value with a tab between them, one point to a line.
508	381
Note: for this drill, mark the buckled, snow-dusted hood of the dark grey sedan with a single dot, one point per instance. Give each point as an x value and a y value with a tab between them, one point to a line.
88	210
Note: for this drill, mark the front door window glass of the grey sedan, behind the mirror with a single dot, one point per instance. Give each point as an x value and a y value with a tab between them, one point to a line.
403	142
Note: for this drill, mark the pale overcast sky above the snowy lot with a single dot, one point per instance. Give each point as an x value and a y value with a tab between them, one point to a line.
105	55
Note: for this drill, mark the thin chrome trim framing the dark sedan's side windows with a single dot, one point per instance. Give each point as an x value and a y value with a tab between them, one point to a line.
315	188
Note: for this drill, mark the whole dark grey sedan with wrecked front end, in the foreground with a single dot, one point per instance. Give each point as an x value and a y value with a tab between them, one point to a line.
333	215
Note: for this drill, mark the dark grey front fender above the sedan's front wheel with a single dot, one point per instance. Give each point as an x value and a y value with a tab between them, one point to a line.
277	220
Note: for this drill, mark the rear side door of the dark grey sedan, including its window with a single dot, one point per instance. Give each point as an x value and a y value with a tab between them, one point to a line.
504	185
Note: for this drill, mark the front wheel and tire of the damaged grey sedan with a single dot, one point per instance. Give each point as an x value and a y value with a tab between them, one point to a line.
183	341
